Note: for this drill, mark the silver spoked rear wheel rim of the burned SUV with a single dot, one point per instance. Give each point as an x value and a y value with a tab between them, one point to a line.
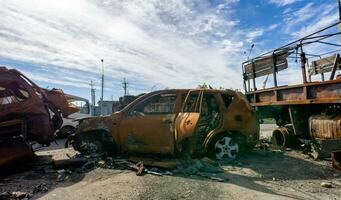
226	149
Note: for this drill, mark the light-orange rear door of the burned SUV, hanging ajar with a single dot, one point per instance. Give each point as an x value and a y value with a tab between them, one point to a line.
189	116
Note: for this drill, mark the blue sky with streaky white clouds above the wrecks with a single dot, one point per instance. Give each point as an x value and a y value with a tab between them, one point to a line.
154	44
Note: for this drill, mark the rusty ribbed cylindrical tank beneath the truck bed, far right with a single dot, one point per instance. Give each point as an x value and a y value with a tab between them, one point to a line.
325	126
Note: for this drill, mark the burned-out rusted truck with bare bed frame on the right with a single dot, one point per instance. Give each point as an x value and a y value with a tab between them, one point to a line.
311	110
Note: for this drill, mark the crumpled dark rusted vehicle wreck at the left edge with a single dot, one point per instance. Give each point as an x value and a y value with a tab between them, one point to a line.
27	112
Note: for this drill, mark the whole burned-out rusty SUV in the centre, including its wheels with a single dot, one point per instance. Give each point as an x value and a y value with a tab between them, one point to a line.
202	121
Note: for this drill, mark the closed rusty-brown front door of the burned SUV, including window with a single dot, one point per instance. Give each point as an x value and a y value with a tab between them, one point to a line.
148	126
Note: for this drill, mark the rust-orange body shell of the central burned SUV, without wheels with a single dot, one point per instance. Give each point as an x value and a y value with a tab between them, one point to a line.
137	130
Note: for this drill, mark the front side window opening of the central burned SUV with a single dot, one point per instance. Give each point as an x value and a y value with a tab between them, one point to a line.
159	104
